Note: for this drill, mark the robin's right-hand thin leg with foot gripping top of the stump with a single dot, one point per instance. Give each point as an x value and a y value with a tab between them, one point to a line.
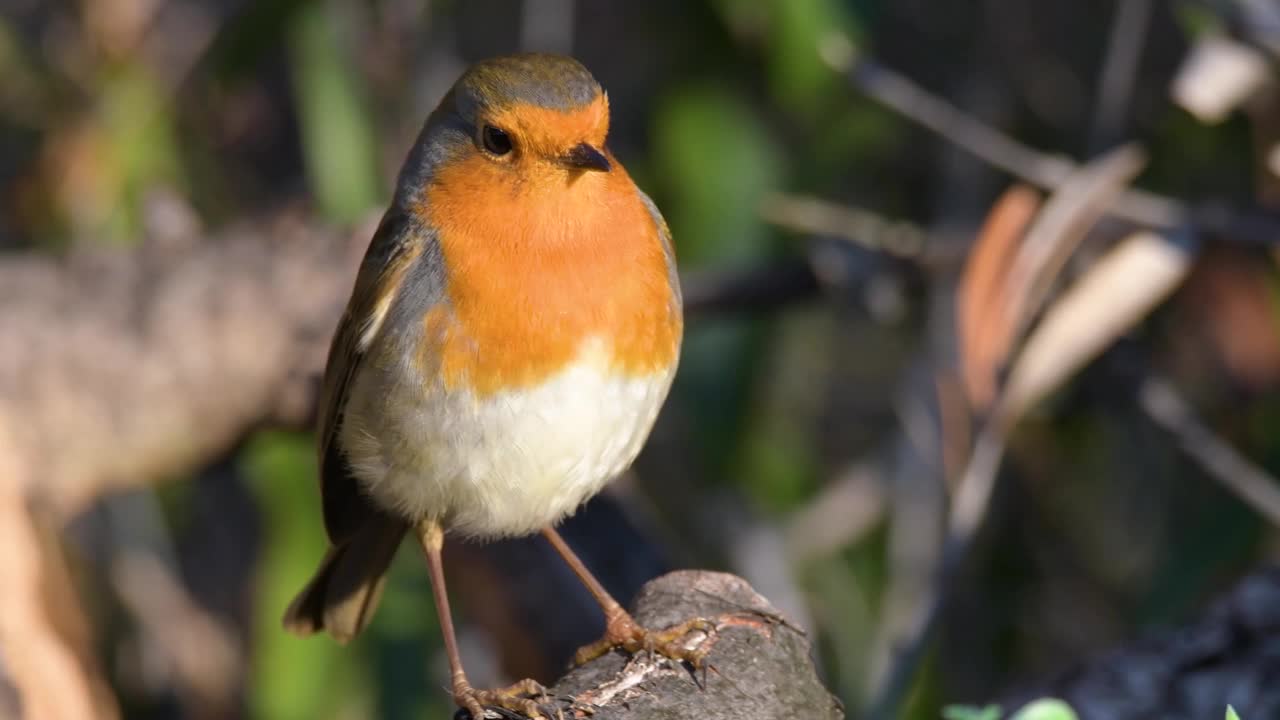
620	628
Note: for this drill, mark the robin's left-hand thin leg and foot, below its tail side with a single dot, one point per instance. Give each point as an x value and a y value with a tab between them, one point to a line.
519	696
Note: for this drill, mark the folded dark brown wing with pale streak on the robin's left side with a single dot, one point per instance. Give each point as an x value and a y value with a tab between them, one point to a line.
397	243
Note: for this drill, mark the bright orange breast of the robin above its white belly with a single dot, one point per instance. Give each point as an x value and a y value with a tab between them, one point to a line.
538	263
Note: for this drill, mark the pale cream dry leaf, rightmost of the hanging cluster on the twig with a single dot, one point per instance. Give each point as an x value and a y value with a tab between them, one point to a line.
1110	299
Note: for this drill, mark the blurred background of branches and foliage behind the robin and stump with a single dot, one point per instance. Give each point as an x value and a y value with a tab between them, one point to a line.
979	386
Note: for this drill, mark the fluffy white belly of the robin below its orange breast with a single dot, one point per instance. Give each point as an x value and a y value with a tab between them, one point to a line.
505	466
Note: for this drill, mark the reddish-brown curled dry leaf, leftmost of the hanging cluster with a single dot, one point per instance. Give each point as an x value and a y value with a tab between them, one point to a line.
984	341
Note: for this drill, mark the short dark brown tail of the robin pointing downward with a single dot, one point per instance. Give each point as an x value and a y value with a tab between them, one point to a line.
344	595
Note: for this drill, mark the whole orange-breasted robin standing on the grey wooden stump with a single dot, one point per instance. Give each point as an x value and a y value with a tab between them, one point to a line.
513	334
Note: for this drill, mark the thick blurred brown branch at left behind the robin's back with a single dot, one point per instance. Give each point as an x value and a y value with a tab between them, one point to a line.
122	368
